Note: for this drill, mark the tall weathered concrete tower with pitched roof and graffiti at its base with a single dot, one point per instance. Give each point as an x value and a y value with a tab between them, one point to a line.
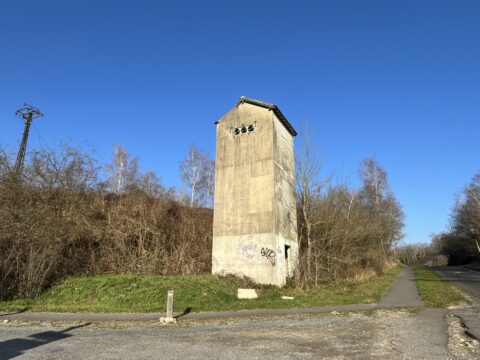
254	222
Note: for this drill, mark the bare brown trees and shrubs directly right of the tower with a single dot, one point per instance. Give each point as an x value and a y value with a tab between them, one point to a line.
344	232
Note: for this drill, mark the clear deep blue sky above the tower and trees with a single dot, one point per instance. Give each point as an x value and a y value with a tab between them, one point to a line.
398	80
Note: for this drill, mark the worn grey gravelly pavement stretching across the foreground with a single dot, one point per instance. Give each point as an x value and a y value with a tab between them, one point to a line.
378	334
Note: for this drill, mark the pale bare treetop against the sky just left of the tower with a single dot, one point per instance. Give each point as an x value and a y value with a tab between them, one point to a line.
197	173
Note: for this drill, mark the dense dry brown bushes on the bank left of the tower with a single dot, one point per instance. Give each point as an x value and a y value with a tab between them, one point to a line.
61	220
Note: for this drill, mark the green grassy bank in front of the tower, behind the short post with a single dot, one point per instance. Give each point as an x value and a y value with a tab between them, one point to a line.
146	293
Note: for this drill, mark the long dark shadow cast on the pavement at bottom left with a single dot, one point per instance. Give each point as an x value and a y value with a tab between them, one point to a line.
16	347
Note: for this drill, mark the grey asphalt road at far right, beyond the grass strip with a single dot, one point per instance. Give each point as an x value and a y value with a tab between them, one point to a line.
466	277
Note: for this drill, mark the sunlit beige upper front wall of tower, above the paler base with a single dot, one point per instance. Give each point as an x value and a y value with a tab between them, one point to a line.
244	174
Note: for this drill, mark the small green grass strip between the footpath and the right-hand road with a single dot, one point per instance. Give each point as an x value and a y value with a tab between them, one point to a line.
434	290
